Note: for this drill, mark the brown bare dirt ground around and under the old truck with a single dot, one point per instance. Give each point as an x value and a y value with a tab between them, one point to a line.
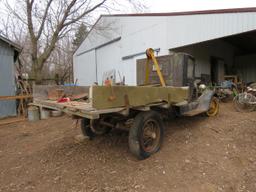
199	154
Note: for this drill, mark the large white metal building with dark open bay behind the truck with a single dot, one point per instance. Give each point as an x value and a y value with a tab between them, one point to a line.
220	40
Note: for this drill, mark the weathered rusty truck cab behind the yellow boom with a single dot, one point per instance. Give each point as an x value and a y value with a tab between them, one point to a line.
175	70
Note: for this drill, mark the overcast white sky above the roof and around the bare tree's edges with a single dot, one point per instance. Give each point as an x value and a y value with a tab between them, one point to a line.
163	6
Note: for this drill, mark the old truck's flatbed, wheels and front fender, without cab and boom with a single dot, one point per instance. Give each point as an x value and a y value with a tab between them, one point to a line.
138	109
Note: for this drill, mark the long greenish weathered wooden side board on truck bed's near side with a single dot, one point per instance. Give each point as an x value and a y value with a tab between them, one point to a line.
104	97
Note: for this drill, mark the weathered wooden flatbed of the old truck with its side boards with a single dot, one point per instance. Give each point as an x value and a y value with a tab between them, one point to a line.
115	99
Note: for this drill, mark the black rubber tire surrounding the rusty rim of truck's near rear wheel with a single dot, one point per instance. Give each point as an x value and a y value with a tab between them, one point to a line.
136	132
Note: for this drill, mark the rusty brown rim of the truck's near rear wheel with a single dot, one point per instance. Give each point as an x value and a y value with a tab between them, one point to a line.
150	136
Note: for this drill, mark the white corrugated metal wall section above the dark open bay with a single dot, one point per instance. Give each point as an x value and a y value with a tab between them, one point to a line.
191	29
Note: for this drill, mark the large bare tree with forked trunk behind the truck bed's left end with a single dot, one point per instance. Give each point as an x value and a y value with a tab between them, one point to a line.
47	22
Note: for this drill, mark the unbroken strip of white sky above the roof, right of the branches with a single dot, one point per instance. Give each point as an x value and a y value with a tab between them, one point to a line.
191	5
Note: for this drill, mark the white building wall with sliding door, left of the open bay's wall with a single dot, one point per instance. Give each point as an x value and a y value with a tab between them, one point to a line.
136	37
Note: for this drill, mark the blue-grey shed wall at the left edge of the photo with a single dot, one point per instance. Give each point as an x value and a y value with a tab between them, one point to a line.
7	80
